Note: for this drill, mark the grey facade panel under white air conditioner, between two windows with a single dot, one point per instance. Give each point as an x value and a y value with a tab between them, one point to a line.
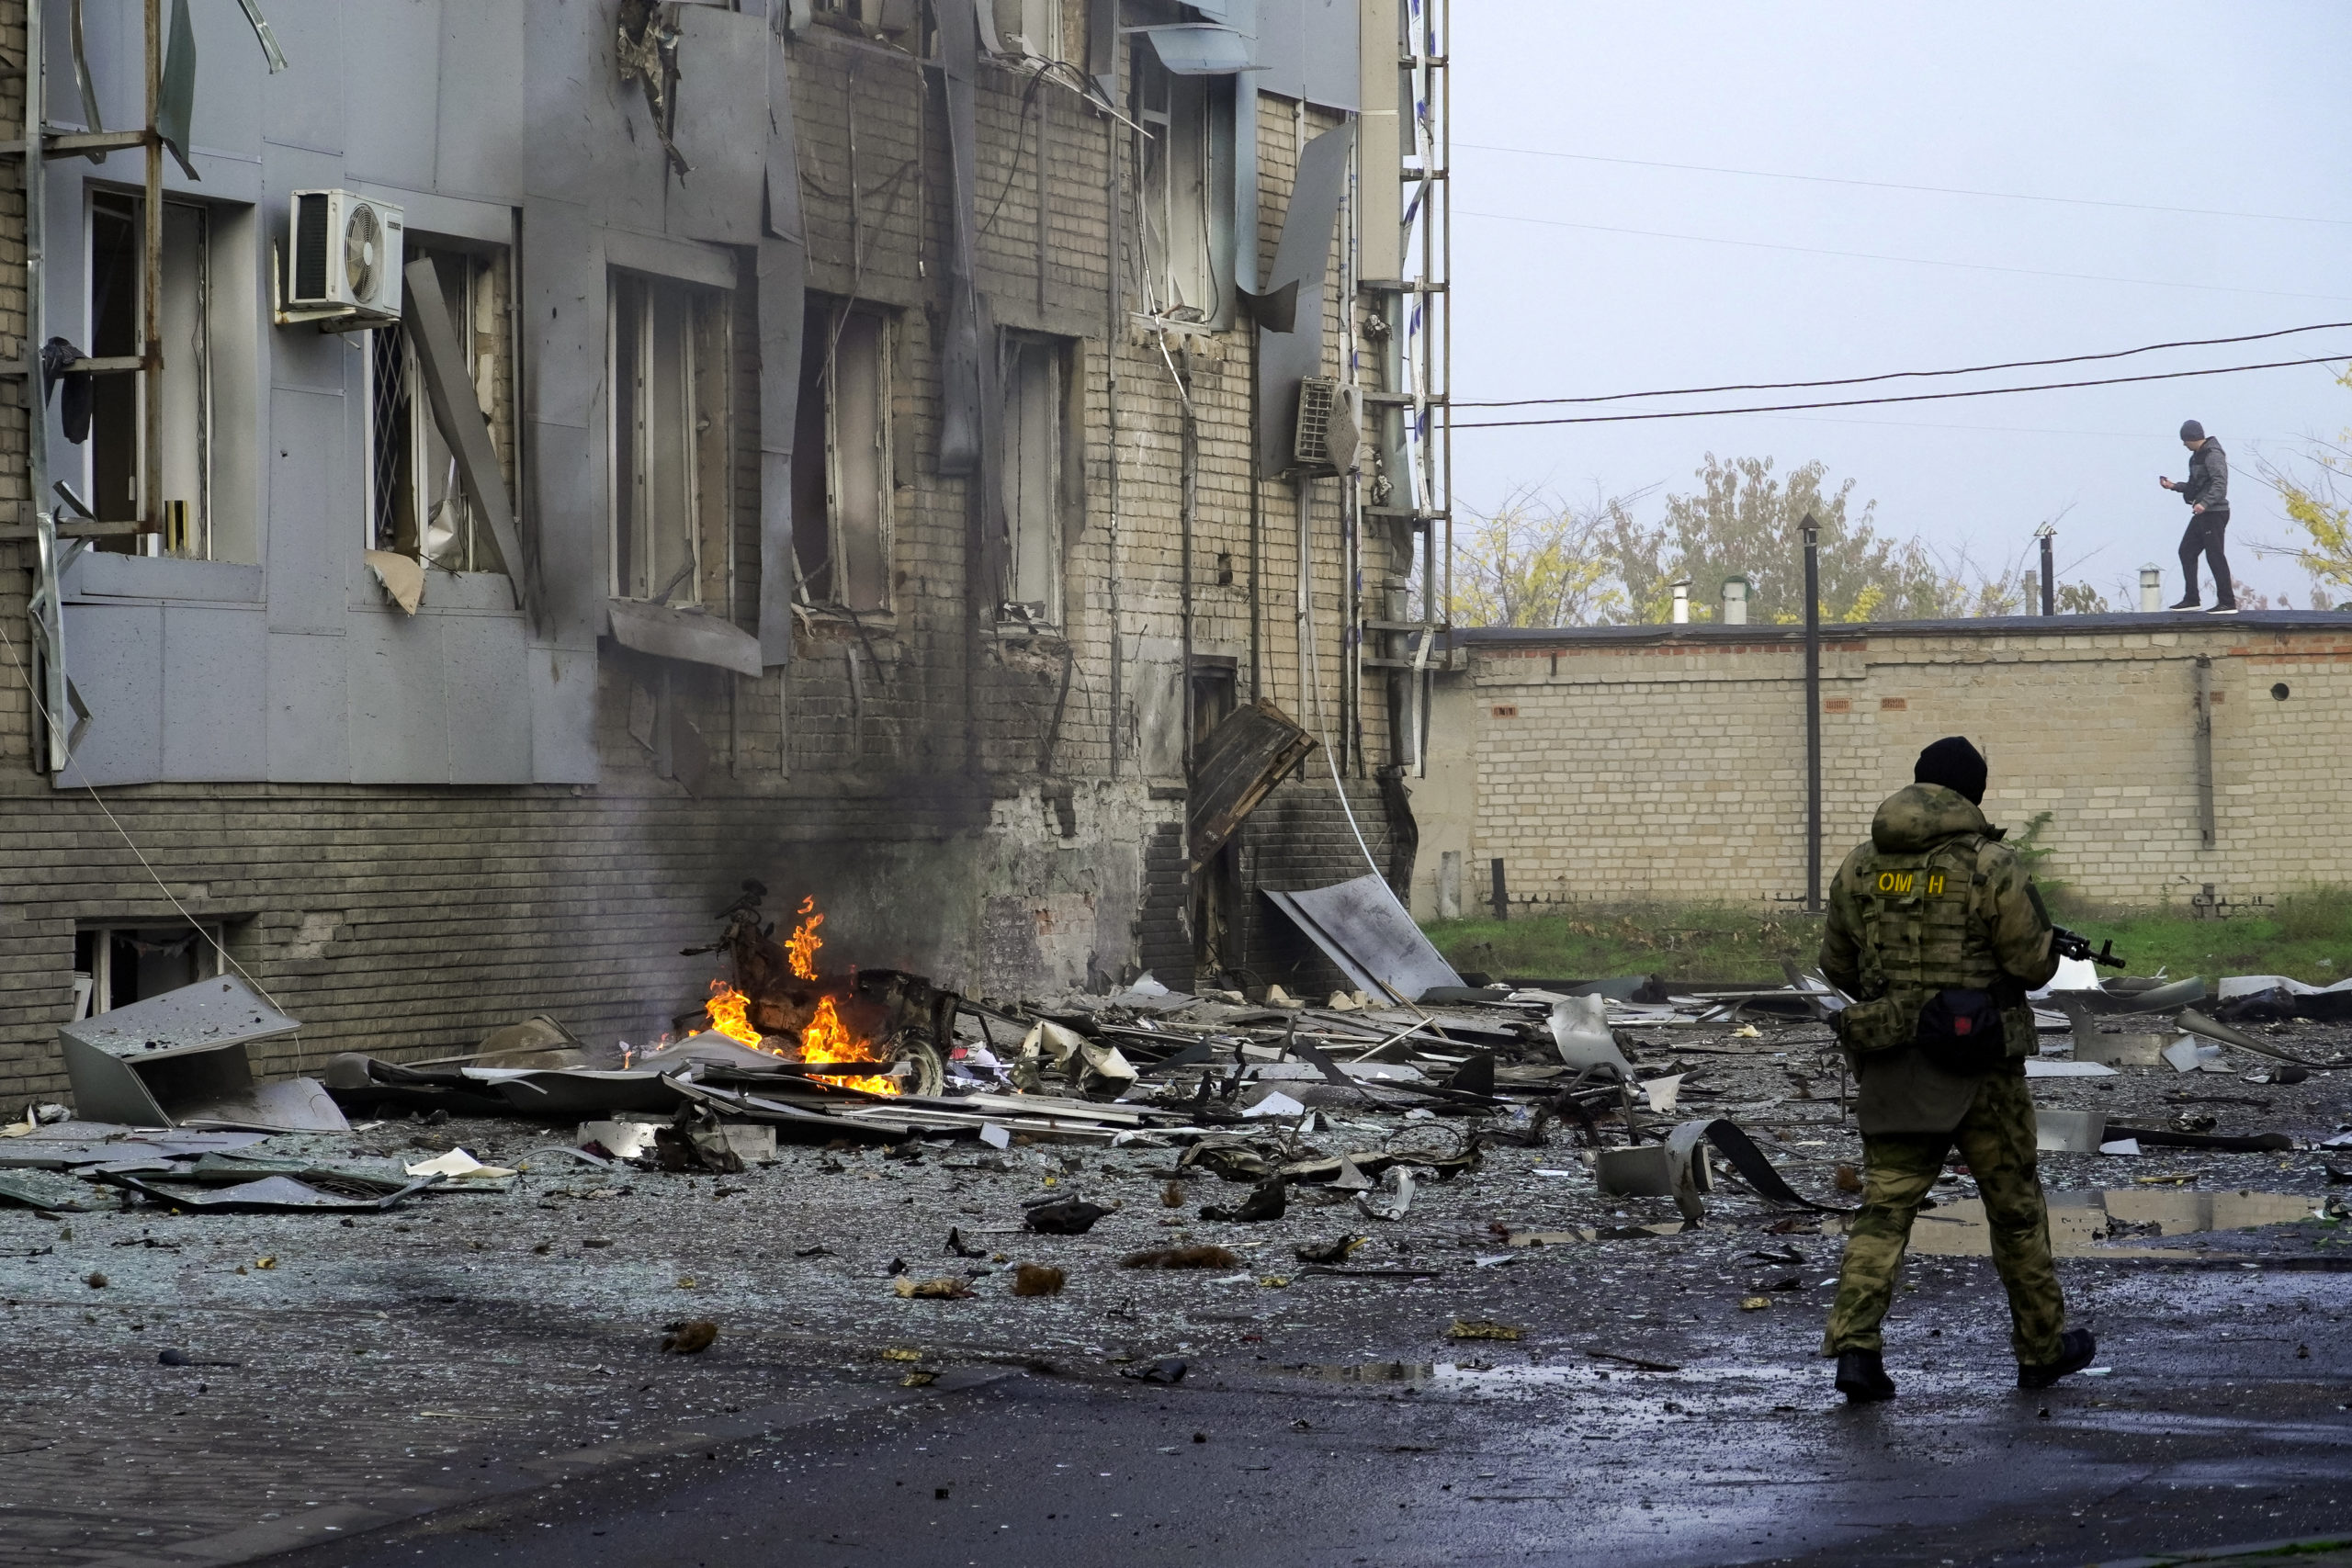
314	530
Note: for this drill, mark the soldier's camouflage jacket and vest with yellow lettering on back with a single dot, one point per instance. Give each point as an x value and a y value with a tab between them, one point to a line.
1935	902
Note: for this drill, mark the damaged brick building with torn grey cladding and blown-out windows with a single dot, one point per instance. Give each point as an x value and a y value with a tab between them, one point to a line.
486	481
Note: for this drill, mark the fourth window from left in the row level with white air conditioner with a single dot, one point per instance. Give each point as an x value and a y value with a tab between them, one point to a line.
841	460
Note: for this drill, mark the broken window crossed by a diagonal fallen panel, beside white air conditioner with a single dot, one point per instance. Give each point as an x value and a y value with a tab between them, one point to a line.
417	500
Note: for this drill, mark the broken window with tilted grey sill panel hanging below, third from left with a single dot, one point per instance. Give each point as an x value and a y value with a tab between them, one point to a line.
669	441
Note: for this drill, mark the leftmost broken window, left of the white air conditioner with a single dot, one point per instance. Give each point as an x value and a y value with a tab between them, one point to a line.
119	481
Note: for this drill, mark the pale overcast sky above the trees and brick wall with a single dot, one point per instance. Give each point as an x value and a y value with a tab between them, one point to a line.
2130	114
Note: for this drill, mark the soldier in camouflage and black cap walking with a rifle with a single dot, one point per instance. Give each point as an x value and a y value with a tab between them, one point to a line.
1937	934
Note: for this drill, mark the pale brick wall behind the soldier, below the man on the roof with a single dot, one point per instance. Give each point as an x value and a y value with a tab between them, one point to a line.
1650	765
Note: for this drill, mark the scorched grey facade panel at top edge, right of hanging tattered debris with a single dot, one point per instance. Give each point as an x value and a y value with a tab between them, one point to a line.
723	62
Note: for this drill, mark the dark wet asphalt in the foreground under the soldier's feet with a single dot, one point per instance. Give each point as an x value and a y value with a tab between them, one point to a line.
2226	1419
